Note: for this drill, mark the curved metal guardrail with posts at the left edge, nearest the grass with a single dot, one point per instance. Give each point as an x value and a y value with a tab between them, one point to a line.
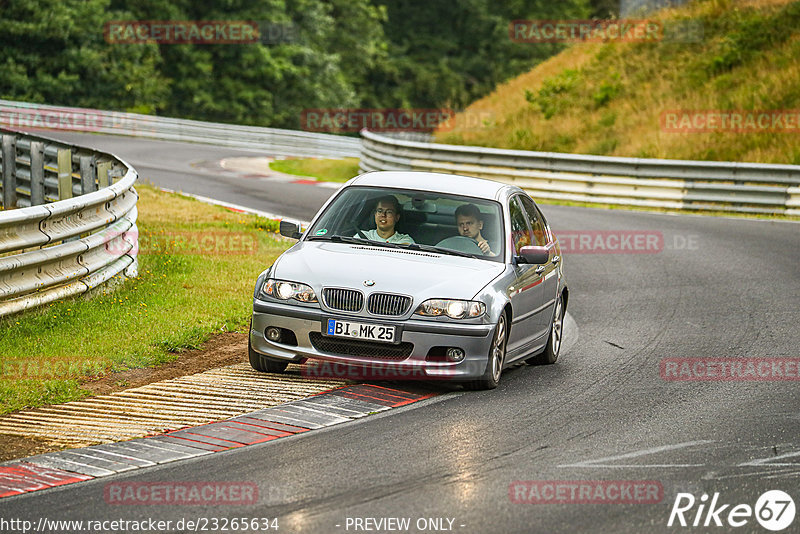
76	228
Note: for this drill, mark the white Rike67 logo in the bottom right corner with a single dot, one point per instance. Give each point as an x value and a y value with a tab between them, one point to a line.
774	510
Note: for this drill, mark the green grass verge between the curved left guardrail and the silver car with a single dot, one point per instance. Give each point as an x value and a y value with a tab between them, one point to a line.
197	269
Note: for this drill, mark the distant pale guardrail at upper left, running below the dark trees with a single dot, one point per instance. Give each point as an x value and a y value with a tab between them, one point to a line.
276	142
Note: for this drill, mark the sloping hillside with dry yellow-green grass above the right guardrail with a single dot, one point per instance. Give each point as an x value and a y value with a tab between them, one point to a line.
608	98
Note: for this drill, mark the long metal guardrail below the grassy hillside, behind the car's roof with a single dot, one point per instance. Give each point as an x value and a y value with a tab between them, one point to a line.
675	184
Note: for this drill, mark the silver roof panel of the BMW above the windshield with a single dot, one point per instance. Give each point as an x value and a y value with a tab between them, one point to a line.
433	181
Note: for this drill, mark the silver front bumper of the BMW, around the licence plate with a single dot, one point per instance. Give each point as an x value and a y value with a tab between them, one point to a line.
474	339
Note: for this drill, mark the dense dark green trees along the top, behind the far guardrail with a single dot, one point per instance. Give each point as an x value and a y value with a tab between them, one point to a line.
343	53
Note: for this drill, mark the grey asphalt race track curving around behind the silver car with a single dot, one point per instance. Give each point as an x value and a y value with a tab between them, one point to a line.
718	288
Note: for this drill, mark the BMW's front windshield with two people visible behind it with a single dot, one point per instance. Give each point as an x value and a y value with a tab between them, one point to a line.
420	220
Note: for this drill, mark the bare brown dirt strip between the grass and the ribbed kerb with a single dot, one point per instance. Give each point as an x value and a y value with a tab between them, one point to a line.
219	351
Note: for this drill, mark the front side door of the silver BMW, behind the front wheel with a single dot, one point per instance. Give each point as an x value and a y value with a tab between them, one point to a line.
527	290
